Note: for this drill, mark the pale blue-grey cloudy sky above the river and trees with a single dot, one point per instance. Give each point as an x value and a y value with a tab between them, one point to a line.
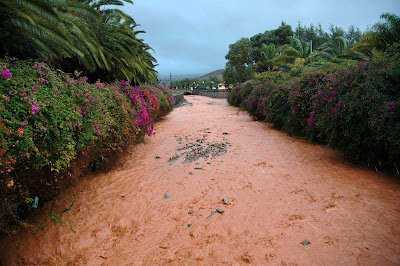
193	36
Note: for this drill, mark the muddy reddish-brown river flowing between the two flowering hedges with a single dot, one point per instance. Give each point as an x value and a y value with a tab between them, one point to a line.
215	187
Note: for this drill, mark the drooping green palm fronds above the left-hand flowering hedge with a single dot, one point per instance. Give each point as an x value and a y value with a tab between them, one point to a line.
84	35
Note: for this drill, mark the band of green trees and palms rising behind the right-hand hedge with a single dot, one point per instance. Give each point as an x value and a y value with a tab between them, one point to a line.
284	49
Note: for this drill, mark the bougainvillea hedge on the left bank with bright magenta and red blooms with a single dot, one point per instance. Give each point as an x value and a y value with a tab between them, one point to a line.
52	123
